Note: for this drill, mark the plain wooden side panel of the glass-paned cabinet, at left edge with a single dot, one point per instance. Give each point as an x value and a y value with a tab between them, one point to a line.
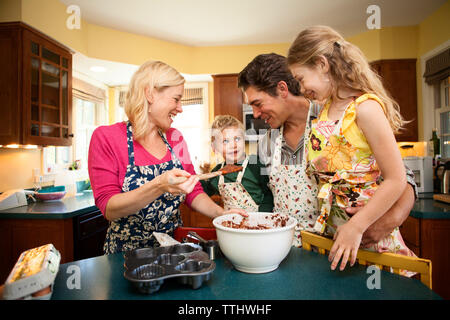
10	96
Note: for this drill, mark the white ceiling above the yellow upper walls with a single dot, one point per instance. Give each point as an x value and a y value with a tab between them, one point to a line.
235	22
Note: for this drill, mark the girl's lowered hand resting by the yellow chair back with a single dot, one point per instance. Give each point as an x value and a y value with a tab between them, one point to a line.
347	240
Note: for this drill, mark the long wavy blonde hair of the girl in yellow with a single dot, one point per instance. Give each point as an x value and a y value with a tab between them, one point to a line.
348	66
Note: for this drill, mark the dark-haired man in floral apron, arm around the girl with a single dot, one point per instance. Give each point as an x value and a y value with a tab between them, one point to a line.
274	94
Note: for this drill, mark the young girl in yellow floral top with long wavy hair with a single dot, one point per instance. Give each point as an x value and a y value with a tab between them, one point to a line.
351	142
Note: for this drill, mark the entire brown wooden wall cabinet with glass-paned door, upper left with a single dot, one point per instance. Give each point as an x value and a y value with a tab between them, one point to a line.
36	88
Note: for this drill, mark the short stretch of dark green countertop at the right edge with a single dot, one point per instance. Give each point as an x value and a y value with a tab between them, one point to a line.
427	208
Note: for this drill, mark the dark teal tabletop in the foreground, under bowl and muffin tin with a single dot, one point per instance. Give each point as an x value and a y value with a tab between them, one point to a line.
302	275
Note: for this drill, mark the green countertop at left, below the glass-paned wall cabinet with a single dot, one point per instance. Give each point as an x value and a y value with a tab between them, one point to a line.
68	207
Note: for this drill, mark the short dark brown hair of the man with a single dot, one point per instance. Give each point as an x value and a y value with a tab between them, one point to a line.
264	73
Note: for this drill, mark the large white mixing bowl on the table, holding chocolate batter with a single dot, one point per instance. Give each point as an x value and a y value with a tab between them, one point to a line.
255	251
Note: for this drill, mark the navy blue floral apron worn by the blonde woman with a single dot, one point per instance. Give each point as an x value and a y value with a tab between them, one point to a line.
161	215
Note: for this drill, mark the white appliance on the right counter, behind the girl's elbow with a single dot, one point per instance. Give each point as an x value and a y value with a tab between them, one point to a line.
422	167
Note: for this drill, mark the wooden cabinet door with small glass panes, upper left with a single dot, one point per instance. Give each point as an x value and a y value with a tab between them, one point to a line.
47	81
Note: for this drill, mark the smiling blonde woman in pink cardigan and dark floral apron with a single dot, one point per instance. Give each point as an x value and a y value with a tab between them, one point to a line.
133	164
